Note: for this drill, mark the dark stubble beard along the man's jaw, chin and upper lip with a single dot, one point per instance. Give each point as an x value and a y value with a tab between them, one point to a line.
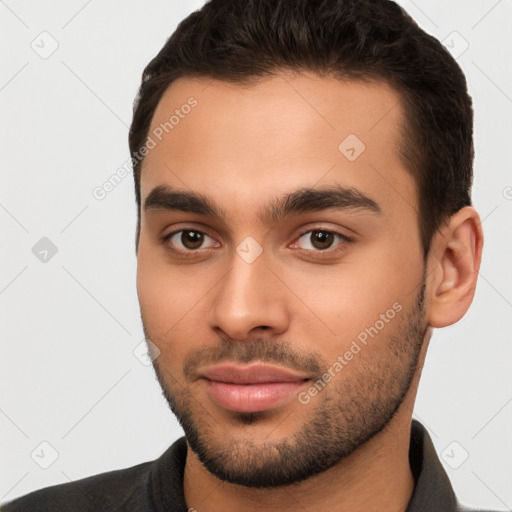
351	410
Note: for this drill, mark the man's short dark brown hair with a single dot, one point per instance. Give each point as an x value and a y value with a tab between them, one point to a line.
241	40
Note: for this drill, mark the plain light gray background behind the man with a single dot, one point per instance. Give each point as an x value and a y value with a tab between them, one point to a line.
70	325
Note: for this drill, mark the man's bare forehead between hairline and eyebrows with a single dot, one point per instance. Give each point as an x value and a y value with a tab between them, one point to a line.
246	143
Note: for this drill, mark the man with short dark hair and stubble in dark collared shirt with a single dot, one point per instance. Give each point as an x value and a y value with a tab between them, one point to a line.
302	174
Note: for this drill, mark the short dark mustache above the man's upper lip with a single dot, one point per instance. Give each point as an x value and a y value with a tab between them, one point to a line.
264	350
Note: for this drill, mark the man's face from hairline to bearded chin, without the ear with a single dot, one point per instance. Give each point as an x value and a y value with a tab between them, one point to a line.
327	284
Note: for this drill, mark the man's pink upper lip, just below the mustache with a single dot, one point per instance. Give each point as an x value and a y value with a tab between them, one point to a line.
252	374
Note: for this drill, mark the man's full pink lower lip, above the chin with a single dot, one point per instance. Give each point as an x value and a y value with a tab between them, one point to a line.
251	397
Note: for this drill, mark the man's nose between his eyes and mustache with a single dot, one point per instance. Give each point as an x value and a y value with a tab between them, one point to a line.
248	299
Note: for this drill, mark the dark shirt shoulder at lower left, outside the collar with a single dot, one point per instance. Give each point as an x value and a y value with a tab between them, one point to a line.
124	489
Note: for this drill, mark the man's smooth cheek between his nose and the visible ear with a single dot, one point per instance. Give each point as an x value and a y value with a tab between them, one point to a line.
339	303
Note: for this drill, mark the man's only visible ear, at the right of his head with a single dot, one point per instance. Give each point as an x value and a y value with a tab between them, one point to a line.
453	264
